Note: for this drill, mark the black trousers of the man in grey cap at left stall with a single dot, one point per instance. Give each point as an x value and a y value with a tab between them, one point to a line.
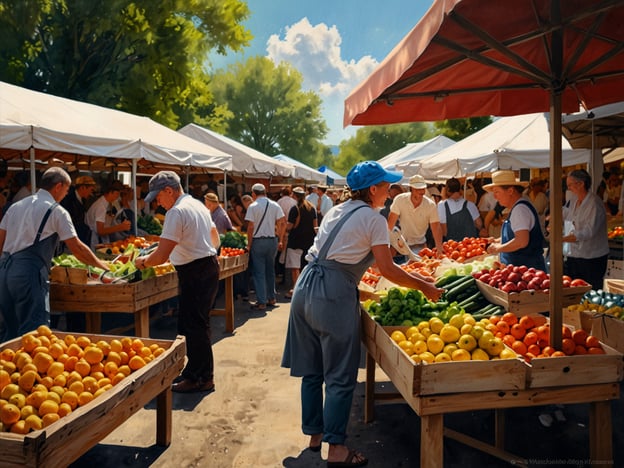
199	281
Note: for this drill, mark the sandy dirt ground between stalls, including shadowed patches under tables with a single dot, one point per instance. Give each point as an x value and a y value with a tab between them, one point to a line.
253	417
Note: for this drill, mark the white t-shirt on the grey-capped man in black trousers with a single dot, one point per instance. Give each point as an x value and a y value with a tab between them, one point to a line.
189	223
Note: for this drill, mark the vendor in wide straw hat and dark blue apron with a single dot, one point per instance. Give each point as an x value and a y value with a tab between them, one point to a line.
521	241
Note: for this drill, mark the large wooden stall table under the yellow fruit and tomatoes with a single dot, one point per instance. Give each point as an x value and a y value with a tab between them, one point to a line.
432	407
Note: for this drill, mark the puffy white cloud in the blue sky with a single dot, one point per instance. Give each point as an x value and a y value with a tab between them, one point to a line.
315	51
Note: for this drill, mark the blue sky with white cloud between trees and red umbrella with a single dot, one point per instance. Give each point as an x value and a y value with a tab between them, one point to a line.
335	44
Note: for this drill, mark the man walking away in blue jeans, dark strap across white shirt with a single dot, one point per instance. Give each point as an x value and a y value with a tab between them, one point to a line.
265	236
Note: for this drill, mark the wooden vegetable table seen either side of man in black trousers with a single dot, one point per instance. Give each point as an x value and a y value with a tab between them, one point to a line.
95	298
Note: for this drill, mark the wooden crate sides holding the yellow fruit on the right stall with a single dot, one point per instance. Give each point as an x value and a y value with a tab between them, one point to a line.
413	379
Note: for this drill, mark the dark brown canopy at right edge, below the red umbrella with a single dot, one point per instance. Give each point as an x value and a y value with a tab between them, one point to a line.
602	127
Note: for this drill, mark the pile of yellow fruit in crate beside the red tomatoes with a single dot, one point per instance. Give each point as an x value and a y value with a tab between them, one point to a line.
463	338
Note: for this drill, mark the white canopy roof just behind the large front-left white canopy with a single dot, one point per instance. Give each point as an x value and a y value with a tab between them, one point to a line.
245	160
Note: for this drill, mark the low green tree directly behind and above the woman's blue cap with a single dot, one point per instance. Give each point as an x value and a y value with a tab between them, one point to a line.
375	142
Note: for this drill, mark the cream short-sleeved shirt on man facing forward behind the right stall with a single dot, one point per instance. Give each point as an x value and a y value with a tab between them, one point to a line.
414	221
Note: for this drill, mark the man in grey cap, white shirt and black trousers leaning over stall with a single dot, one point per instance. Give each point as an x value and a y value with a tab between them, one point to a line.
190	240
